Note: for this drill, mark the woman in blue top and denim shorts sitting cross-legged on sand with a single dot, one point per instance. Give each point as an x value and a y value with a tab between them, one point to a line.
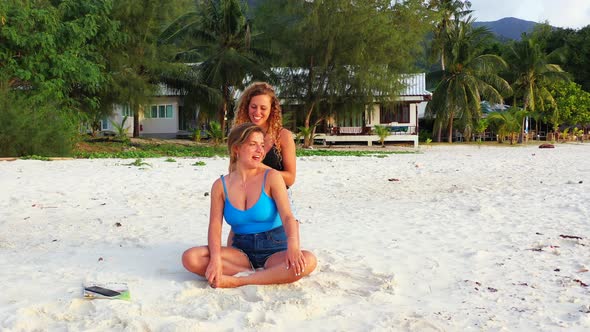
253	200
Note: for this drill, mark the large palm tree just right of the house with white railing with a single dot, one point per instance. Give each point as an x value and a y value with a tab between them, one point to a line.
468	77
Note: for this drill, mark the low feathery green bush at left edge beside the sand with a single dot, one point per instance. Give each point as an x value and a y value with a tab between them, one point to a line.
26	129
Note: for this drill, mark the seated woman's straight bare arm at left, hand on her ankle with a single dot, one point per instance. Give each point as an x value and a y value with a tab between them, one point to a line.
215	267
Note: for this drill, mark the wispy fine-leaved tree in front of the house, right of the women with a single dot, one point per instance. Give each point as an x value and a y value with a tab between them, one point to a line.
335	52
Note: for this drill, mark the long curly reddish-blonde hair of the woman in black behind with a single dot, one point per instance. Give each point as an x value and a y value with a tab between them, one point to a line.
275	119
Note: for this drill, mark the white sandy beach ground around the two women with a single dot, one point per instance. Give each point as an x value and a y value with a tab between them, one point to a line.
467	239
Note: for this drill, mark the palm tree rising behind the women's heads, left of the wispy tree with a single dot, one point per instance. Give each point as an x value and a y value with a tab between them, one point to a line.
219	39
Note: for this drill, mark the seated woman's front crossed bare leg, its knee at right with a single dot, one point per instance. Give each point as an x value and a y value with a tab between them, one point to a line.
275	272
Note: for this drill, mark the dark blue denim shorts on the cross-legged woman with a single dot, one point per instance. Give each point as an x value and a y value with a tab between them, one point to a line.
259	246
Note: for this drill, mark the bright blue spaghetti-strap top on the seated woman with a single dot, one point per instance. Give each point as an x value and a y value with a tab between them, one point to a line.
261	217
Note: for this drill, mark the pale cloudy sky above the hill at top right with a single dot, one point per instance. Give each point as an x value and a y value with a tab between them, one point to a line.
573	14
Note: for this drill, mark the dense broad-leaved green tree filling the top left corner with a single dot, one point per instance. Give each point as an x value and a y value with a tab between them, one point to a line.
52	51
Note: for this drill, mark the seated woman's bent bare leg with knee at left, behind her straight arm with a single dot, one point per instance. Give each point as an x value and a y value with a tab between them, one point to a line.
196	260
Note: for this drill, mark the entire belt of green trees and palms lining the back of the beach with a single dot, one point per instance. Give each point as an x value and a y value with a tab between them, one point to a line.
66	62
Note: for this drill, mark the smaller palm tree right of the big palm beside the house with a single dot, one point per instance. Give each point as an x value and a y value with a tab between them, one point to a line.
532	76
